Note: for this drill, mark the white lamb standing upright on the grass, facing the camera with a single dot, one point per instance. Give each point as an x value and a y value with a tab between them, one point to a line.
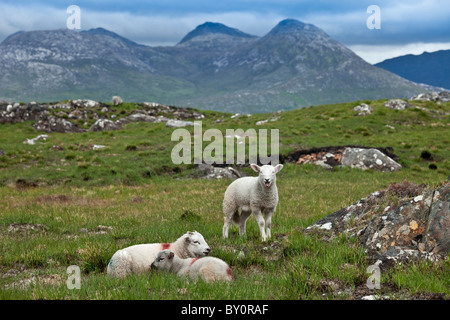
252	194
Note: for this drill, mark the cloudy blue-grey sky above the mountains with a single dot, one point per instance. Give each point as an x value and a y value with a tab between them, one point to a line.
407	26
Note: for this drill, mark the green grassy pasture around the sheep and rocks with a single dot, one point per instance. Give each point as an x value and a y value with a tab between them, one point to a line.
63	204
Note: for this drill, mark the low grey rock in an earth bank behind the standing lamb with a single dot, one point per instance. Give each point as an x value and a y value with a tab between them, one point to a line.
380	159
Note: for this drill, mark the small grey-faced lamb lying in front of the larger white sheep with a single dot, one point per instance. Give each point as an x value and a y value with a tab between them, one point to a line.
208	268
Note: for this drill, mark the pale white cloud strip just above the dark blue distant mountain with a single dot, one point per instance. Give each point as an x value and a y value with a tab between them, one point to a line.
377	53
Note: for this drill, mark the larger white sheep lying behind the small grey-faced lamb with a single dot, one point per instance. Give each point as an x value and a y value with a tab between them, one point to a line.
138	258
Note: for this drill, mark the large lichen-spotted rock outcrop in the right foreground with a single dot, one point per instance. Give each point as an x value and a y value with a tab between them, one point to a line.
416	227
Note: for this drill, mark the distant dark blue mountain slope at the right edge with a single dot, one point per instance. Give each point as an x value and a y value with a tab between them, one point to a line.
432	68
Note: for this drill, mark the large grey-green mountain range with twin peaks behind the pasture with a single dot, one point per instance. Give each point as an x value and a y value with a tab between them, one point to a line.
213	67
